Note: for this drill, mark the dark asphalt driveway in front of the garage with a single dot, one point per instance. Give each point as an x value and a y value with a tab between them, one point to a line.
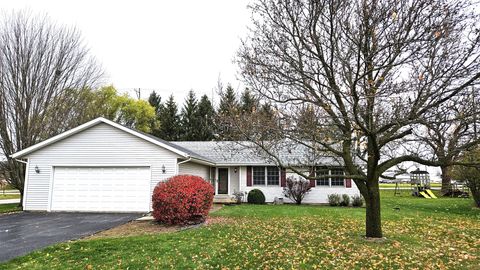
24	232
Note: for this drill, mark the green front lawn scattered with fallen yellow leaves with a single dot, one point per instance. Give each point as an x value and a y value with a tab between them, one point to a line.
421	233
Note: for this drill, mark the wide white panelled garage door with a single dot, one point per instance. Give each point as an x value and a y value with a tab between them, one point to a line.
101	189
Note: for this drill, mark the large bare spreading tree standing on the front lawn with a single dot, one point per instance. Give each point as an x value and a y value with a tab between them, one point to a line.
373	71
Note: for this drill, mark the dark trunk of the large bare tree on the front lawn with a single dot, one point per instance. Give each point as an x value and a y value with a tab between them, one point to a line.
373	217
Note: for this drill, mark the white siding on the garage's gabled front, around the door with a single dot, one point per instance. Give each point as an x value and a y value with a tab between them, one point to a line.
100	145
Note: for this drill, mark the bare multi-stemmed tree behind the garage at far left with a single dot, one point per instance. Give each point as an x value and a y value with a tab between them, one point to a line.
39	62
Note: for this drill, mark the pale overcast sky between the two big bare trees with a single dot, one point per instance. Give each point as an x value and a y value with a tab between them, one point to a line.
169	46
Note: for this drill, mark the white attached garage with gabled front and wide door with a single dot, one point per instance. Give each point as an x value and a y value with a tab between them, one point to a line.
100	166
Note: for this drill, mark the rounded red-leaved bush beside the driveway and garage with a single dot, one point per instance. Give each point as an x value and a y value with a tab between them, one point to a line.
182	199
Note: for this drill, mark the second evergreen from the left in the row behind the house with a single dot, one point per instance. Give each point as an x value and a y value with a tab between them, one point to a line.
170	121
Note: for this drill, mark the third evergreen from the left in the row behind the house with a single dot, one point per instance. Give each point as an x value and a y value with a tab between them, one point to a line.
190	122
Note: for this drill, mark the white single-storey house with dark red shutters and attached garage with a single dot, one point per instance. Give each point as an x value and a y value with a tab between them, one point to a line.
102	166
